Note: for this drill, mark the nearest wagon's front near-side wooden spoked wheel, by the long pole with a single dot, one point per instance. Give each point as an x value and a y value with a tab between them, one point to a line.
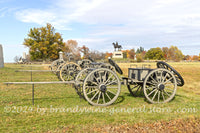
101	87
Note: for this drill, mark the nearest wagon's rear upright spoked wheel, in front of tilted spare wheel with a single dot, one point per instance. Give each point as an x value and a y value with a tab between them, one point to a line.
160	86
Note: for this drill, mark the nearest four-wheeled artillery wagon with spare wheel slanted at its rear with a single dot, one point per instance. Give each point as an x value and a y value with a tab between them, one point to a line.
101	85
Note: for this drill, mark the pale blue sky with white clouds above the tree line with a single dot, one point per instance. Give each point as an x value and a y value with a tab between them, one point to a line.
98	23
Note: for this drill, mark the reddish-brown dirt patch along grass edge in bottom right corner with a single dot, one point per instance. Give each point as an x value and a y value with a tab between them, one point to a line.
179	125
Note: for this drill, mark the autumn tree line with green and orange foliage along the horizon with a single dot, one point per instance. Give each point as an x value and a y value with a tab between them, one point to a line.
45	43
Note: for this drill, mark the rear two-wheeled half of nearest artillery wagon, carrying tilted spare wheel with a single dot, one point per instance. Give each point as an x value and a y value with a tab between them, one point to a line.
158	85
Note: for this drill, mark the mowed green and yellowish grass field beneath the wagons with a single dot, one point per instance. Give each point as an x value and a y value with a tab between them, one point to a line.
58	108
